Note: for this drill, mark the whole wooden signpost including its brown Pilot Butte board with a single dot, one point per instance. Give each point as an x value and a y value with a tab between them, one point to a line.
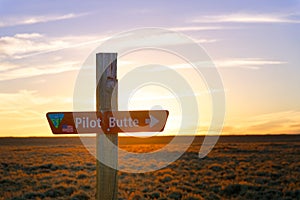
107	122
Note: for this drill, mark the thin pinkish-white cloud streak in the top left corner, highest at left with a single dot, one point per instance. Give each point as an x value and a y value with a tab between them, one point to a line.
27	20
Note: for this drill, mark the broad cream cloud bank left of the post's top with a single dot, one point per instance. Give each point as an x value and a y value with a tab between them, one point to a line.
32	54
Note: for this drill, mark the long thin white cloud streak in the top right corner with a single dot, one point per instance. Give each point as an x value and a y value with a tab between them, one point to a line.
247	18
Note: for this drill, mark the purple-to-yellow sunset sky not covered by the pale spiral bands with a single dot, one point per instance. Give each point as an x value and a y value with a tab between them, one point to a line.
253	44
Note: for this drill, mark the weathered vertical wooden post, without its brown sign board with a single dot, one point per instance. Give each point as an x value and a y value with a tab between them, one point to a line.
106	145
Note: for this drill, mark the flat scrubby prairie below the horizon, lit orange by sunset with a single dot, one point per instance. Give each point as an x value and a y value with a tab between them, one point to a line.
238	167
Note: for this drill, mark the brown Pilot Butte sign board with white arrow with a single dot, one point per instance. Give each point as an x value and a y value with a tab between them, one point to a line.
107	122
